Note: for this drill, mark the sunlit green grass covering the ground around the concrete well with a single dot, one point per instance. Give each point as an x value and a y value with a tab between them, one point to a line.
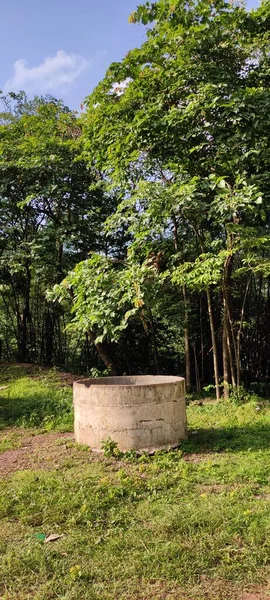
188	524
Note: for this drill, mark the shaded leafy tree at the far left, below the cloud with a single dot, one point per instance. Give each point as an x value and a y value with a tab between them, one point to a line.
51	216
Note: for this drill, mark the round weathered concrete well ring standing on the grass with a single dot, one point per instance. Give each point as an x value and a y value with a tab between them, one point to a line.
138	412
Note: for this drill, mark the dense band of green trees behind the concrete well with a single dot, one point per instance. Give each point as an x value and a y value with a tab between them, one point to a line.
148	215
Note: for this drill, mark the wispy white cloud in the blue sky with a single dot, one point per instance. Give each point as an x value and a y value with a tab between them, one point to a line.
54	73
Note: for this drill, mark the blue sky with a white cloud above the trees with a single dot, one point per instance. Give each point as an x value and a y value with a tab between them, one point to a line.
64	47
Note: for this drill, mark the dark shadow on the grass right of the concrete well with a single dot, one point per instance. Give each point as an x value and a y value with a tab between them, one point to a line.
236	439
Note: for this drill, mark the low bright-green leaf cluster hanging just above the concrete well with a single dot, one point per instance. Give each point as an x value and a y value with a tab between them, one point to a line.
106	294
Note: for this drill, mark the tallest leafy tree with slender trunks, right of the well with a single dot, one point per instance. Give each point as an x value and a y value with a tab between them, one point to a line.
194	103
